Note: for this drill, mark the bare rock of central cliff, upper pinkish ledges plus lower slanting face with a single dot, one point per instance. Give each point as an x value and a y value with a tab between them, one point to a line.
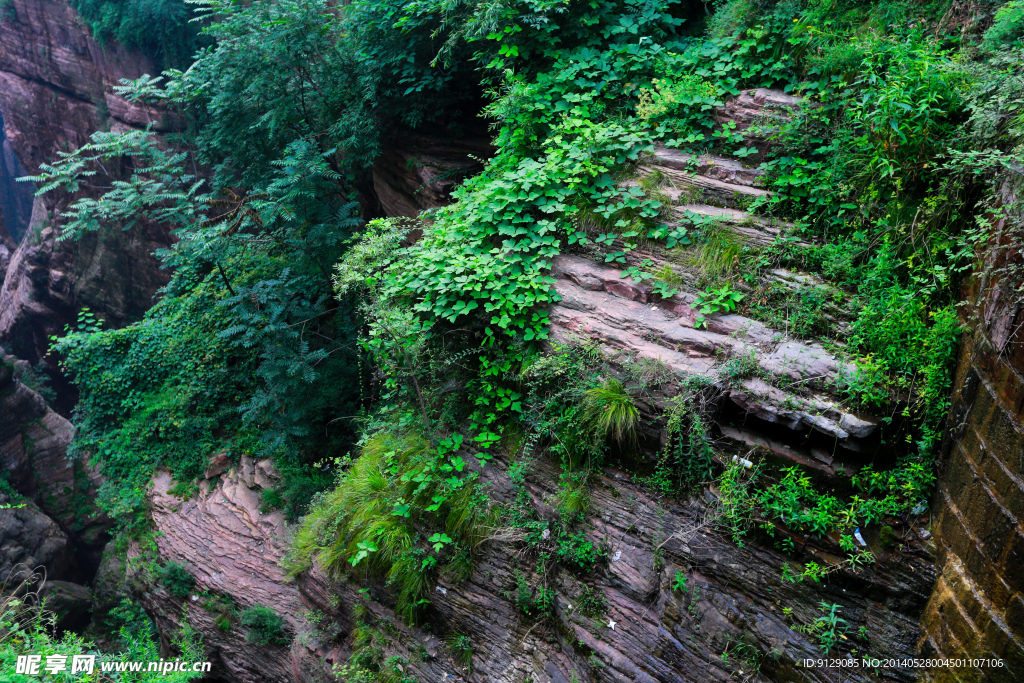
738	617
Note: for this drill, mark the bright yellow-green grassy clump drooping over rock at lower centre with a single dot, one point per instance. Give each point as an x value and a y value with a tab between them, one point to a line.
366	524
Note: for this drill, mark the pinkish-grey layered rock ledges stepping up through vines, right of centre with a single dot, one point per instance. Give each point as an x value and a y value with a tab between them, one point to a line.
775	391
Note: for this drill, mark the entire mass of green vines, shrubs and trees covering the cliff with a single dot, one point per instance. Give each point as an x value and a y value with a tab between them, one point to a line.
257	347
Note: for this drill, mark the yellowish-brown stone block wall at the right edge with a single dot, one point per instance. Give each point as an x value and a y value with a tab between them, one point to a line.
977	608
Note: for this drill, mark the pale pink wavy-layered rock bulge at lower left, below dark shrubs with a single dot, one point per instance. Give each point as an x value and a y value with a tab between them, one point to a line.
233	549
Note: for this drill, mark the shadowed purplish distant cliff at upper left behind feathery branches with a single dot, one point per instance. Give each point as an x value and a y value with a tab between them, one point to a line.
56	90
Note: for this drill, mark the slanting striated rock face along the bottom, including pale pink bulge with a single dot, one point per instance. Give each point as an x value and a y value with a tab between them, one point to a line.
736	602
